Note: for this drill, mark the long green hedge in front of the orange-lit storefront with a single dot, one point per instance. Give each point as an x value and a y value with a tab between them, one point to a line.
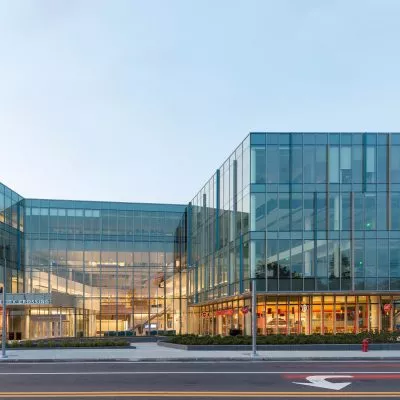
384	337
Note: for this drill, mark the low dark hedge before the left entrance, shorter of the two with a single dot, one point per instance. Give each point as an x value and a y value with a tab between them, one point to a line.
68	343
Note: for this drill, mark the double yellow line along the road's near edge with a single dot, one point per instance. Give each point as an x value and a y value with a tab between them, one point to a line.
200	394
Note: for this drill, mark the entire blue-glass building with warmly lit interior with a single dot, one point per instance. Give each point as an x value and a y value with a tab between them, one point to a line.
311	221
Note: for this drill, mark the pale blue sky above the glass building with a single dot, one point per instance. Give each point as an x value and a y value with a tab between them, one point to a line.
143	100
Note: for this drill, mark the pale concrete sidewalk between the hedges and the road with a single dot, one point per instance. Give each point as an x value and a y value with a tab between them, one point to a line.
151	352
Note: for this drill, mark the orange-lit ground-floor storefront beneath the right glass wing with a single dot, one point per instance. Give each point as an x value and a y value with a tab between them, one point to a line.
293	315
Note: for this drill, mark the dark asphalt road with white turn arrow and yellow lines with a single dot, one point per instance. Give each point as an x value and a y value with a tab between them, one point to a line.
201	380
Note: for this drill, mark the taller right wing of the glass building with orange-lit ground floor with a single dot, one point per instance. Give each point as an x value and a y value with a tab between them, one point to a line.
321	217
